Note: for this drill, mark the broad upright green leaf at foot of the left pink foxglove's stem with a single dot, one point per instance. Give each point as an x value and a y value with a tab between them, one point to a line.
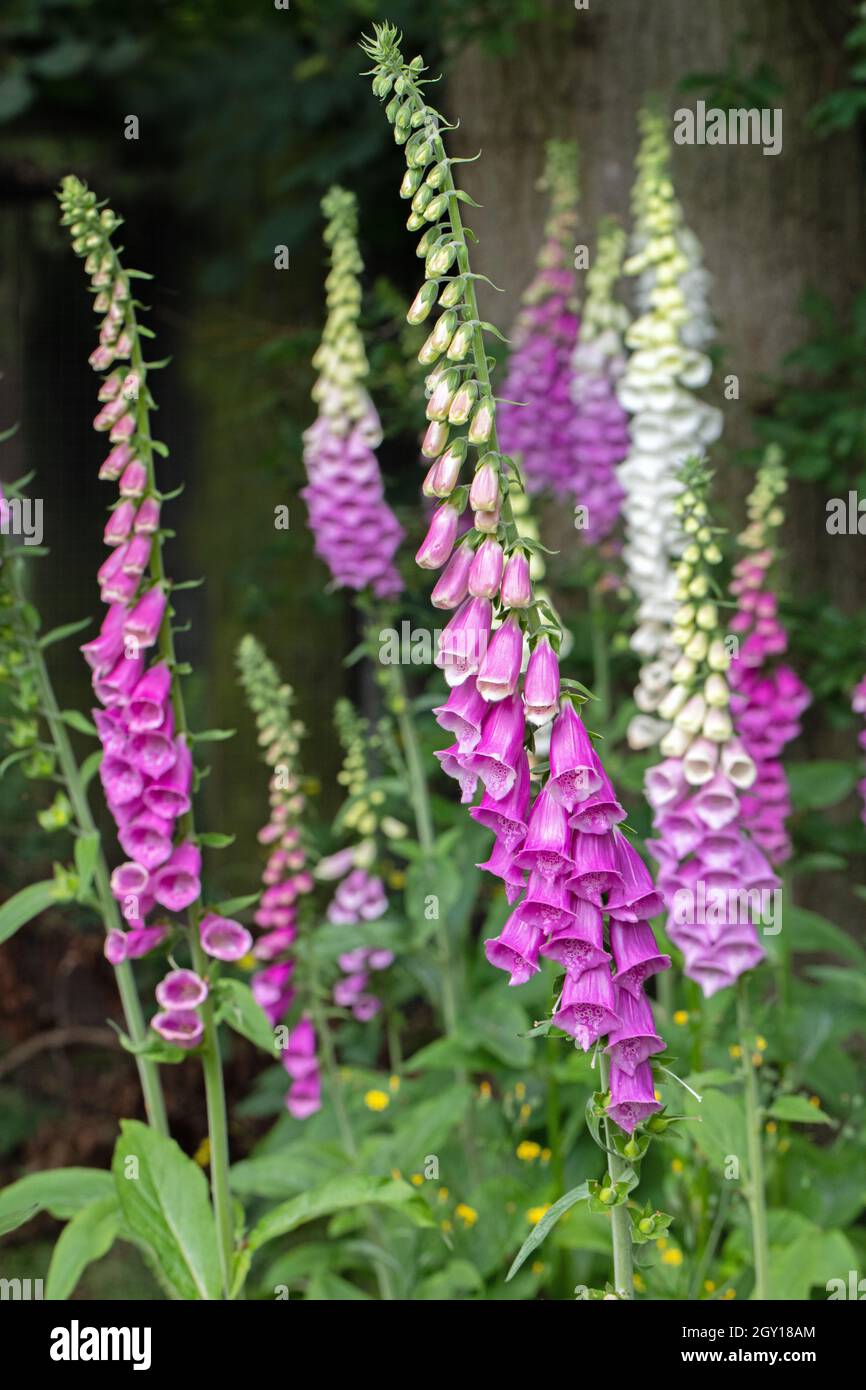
163	1197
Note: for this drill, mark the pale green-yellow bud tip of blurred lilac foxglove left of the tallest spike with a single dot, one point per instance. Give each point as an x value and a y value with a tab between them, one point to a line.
341	359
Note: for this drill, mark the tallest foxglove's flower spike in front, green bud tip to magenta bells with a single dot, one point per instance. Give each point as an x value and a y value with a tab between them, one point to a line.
558	847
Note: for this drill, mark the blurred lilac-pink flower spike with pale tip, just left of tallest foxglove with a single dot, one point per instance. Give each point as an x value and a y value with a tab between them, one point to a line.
357	532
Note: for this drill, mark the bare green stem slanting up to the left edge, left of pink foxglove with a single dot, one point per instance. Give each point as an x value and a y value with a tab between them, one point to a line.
148	1071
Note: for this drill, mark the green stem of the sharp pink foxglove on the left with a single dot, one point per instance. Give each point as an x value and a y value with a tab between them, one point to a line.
212	1063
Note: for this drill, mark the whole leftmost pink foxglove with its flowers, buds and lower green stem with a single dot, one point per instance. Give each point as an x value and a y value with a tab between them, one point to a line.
147	771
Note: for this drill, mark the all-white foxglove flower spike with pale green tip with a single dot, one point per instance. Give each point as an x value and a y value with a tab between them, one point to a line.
669	423
